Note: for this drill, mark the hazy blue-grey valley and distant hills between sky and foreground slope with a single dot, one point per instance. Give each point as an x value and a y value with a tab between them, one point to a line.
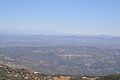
70	55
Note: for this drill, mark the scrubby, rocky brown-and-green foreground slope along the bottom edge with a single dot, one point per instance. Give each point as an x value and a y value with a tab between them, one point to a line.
7	73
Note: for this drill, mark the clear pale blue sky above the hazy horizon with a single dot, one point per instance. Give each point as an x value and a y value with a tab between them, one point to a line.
92	17
